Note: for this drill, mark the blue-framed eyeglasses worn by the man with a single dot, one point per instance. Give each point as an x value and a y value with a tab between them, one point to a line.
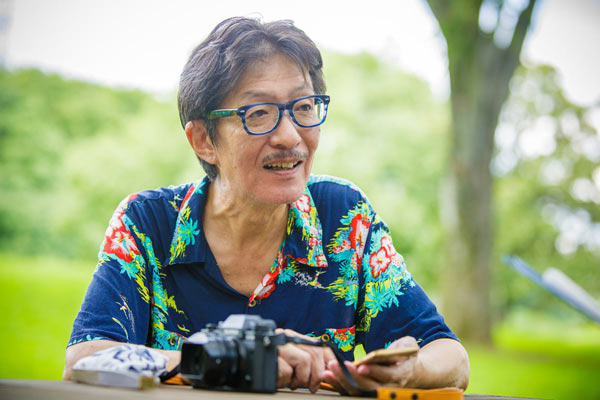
262	118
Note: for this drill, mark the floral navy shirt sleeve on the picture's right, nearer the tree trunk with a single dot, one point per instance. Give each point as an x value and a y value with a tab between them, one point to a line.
391	304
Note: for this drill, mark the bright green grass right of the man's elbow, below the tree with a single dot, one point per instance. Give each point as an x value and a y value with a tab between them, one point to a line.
539	356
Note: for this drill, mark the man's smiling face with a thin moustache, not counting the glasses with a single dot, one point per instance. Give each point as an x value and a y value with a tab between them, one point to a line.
275	167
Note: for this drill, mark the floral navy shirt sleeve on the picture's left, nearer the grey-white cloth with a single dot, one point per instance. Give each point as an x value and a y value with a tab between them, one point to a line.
116	305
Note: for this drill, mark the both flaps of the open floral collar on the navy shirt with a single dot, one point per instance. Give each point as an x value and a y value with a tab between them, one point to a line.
304	242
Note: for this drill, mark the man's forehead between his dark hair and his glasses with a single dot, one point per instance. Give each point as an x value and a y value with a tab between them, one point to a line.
276	78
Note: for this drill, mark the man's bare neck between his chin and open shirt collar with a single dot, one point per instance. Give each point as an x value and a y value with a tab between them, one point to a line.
244	222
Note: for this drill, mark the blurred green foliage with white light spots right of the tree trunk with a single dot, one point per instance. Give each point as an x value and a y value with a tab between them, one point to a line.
547	187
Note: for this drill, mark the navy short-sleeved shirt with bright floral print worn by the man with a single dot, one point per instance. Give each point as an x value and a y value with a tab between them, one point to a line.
337	275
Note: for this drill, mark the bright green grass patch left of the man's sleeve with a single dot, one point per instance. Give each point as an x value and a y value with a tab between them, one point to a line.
42	297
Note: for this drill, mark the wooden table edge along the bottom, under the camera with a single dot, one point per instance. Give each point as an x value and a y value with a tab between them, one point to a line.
61	390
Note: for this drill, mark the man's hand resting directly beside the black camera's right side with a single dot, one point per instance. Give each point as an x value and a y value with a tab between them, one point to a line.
301	365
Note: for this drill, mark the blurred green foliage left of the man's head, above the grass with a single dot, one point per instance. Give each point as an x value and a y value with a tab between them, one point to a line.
70	151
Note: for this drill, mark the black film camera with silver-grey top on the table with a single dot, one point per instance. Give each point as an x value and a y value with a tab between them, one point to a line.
239	354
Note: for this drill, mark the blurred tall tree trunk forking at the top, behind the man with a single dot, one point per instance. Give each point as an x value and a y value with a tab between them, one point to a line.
484	40
